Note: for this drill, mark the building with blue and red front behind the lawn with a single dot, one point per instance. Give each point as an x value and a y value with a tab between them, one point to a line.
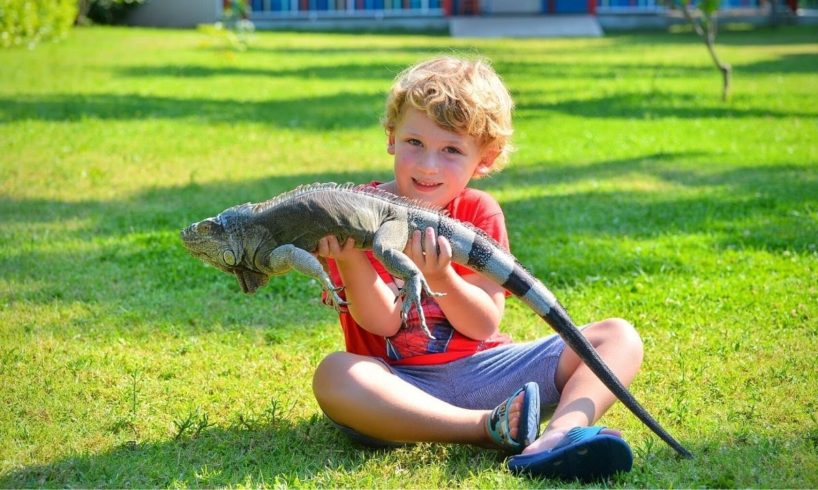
459	17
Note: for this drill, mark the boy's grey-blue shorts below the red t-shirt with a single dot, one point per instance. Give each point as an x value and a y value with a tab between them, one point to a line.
485	379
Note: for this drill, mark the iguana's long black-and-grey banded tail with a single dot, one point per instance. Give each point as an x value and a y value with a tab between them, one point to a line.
489	259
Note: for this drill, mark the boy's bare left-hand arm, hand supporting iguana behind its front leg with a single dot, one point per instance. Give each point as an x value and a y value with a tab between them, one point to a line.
371	301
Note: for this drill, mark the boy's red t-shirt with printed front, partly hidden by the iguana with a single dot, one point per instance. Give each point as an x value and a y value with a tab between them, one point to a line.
411	345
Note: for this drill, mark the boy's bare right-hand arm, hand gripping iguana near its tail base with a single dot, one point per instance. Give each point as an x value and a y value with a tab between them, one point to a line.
473	304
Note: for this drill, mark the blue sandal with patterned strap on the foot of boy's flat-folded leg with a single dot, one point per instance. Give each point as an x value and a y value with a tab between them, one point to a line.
498	426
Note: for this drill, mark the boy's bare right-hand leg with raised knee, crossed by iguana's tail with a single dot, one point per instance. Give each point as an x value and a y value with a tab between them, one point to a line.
583	397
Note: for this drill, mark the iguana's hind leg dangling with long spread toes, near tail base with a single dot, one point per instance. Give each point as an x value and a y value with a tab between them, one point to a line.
387	246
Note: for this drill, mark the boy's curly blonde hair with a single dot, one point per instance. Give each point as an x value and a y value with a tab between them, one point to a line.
460	95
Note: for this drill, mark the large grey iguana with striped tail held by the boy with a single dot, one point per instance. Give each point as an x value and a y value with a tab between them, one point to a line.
256	241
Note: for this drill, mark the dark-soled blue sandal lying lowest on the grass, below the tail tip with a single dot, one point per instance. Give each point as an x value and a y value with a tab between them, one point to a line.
584	454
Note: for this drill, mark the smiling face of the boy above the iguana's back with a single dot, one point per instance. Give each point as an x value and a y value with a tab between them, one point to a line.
433	164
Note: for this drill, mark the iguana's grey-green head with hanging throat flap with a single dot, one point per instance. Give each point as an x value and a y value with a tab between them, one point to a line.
212	241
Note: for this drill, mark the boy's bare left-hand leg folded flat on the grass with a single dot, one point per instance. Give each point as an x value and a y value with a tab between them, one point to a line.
363	394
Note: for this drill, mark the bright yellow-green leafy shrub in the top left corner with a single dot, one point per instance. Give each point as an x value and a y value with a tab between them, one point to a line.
28	22
